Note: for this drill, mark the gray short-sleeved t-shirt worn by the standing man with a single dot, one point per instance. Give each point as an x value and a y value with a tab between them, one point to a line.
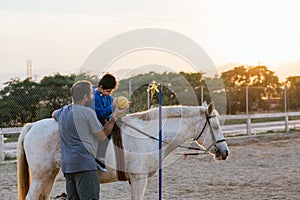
77	126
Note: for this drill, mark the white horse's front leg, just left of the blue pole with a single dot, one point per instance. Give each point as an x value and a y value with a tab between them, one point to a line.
138	185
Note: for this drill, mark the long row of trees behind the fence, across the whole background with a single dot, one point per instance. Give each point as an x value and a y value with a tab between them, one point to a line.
23	101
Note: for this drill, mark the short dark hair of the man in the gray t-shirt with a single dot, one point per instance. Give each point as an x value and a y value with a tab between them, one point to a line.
79	89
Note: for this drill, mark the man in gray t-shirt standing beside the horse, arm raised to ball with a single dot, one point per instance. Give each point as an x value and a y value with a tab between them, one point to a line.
80	131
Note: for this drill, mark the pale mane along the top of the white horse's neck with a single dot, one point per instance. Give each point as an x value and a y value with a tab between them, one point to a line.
168	112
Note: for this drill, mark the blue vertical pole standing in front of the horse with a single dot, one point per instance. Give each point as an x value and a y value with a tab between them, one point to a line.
160	142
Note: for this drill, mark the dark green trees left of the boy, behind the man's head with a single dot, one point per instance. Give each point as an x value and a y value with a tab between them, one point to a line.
28	101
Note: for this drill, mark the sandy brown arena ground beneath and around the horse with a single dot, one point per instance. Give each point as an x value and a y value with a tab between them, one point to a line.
265	167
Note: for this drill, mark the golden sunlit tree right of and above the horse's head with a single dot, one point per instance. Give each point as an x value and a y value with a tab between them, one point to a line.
263	84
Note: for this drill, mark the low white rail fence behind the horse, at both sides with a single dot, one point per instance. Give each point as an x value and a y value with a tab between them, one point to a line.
229	128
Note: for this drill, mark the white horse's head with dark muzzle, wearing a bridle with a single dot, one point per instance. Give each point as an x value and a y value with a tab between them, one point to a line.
210	135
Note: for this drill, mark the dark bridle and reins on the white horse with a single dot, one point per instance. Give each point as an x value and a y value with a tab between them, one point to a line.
207	122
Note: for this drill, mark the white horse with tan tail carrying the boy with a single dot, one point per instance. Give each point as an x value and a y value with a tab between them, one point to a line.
39	147
